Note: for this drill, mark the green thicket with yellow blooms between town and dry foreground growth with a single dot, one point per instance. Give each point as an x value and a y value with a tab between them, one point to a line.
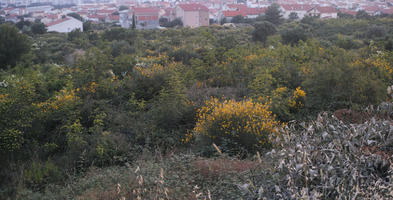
102	97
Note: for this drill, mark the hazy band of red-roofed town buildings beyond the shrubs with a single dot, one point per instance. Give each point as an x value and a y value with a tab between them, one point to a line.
193	13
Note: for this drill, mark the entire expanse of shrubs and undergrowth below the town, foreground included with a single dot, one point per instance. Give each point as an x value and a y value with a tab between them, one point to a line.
145	107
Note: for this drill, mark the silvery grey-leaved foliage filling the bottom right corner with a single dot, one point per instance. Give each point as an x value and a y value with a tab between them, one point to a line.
327	159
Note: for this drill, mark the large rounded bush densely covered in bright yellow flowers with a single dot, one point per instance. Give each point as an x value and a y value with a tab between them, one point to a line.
247	123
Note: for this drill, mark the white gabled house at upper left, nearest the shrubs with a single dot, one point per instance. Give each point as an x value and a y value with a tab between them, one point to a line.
65	25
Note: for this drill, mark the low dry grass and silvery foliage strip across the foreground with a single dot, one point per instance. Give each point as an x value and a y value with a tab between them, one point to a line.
322	159
